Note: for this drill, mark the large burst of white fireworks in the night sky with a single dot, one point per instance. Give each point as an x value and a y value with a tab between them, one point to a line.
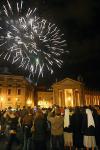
30	41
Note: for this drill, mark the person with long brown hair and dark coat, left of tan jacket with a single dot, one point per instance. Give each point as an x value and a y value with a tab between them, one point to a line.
39	131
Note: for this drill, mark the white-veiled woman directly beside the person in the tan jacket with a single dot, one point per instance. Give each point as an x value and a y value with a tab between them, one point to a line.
68	129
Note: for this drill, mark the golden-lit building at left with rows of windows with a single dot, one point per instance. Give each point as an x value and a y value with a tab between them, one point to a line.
15	91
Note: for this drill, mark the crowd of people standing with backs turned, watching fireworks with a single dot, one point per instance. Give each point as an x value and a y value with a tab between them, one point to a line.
54	128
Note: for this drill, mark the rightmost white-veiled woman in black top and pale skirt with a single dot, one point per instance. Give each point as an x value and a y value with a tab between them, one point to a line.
88	129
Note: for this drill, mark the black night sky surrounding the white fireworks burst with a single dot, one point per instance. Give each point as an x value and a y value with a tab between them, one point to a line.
79	21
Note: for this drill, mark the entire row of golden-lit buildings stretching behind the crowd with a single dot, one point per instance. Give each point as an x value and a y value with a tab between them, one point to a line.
16	91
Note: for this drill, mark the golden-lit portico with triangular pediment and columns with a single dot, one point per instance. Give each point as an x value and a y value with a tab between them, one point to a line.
68	92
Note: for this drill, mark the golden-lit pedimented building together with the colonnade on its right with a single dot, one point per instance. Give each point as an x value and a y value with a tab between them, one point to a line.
70	92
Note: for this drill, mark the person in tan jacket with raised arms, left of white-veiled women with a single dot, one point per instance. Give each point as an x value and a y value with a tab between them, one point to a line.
57	124
